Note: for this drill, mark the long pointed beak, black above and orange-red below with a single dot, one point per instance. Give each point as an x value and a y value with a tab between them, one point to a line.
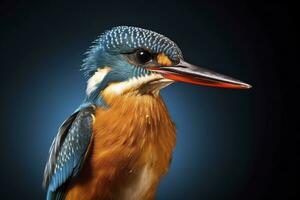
188	73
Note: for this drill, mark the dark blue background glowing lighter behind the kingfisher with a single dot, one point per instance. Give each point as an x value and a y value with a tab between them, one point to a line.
228	140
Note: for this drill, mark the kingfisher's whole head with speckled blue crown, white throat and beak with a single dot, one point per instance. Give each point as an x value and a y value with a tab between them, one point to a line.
137	61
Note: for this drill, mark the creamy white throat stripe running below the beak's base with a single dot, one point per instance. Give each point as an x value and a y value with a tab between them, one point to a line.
131	84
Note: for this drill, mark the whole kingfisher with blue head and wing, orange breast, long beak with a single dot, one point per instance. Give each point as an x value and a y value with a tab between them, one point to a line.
119	142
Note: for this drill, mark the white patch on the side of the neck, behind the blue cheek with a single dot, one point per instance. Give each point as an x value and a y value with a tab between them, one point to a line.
96	79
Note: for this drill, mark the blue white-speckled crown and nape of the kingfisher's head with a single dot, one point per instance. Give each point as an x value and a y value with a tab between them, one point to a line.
126	39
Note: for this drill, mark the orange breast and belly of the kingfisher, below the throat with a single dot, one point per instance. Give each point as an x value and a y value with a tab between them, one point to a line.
131	149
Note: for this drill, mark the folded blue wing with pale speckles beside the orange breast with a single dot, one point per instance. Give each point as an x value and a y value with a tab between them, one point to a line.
68	151
